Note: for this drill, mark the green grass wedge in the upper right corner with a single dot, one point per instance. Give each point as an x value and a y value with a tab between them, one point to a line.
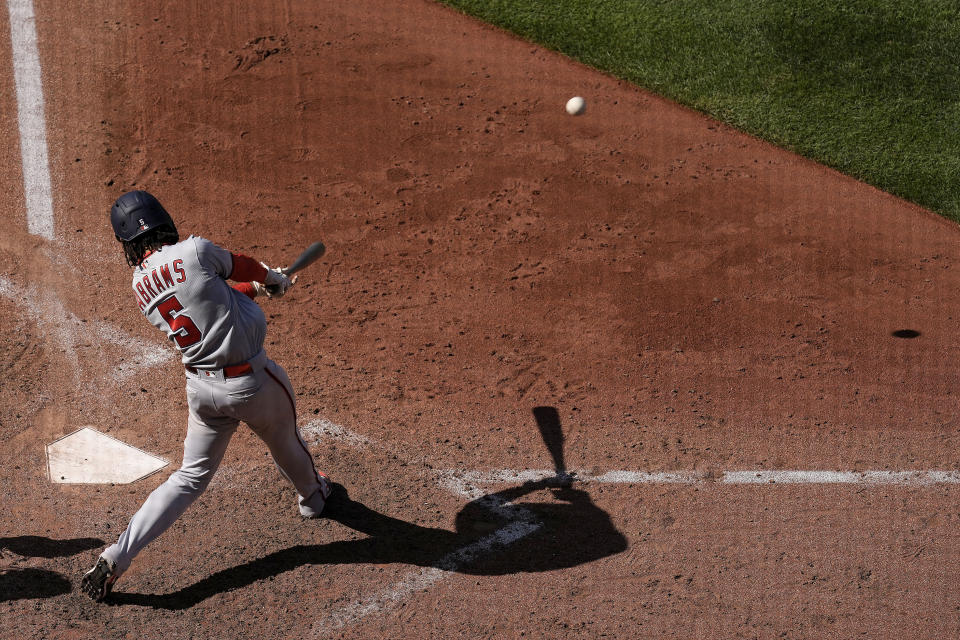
870	87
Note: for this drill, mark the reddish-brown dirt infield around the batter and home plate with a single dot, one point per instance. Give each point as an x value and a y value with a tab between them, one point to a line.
687	298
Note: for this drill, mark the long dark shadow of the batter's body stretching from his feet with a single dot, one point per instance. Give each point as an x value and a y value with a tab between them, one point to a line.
538	537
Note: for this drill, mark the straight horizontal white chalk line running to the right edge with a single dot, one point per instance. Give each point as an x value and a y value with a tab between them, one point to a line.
452	478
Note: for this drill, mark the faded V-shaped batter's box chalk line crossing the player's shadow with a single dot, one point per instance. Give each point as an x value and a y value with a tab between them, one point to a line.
521	524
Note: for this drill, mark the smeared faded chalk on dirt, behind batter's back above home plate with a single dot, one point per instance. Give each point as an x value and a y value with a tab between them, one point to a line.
70	331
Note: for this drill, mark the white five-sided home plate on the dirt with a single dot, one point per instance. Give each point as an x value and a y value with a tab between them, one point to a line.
90	457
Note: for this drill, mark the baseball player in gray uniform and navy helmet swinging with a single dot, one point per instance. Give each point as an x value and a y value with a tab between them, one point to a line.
181	287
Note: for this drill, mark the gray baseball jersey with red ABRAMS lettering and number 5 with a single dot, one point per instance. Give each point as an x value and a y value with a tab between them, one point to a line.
182	290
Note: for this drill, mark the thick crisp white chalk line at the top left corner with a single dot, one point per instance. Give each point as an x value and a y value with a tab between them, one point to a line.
30	116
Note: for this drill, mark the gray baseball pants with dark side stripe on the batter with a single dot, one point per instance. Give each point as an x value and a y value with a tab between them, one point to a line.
264	401
